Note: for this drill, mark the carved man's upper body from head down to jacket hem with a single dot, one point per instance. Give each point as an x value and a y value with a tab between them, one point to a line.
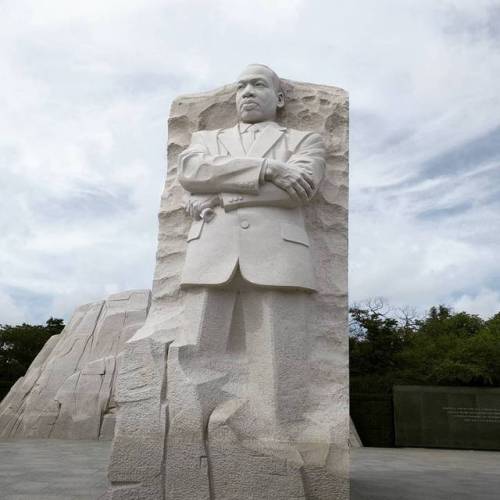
256	176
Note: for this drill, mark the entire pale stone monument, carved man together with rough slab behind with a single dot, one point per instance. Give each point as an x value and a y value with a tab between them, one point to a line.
236	386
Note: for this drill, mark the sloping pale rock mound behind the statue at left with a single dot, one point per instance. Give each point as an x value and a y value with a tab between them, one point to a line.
68	390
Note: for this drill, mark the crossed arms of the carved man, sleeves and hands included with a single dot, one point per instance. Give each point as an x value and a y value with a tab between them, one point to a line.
236	182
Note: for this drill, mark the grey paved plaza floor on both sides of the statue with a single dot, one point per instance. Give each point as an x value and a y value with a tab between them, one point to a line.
67	470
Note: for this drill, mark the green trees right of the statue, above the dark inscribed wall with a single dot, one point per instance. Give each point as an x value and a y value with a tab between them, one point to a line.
389	347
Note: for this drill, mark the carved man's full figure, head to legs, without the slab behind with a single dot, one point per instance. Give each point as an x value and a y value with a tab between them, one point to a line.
235	385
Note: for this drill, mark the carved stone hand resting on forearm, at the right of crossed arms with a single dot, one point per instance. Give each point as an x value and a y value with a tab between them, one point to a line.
297	182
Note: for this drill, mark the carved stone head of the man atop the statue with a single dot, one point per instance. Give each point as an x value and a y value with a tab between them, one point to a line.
256	98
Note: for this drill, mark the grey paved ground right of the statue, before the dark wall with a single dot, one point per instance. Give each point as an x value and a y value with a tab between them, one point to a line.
424	474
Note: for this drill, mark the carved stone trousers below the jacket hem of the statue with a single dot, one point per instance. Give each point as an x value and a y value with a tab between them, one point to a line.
242	360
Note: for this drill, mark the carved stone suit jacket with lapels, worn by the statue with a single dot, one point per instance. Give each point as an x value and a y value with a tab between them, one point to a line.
260	228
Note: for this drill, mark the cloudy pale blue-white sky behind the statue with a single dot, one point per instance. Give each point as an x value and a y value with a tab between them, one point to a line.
85	89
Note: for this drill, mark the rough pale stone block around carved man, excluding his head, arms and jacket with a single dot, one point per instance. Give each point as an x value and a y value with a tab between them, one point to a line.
175	404
